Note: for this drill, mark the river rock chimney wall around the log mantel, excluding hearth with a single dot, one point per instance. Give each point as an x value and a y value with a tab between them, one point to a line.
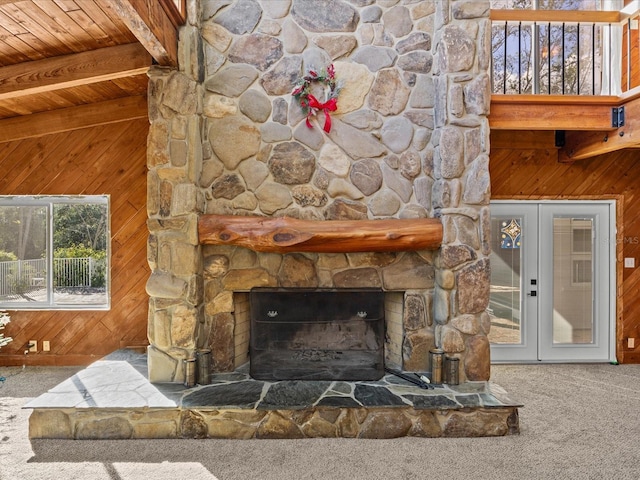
409	139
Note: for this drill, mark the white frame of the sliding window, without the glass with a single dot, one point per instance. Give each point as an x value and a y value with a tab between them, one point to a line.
49	201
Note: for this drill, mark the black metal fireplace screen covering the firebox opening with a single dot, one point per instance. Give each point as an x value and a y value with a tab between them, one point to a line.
317	334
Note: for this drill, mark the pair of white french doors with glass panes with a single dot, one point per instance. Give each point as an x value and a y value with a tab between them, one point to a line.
552	281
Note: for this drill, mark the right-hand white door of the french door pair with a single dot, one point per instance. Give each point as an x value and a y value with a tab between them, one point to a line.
577	292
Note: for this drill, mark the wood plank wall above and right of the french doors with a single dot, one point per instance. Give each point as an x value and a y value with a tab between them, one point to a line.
536	174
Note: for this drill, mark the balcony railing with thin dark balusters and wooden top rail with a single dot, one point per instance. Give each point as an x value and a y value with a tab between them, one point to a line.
562	52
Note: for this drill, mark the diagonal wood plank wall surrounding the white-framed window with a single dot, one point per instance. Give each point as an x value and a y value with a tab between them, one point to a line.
92	161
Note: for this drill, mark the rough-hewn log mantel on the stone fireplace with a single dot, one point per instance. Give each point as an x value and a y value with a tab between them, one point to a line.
285	234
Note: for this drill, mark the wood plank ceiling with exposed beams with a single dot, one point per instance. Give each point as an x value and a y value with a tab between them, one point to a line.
67	64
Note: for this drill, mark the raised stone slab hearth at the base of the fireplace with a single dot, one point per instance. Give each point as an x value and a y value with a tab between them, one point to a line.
113	399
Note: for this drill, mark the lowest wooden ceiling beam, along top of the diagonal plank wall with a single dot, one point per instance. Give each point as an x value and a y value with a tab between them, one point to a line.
67	119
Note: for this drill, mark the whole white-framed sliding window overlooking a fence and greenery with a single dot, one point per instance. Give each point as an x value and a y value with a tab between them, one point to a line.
54	252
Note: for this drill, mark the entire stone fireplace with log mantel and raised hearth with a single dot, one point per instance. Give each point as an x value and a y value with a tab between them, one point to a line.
391	200
